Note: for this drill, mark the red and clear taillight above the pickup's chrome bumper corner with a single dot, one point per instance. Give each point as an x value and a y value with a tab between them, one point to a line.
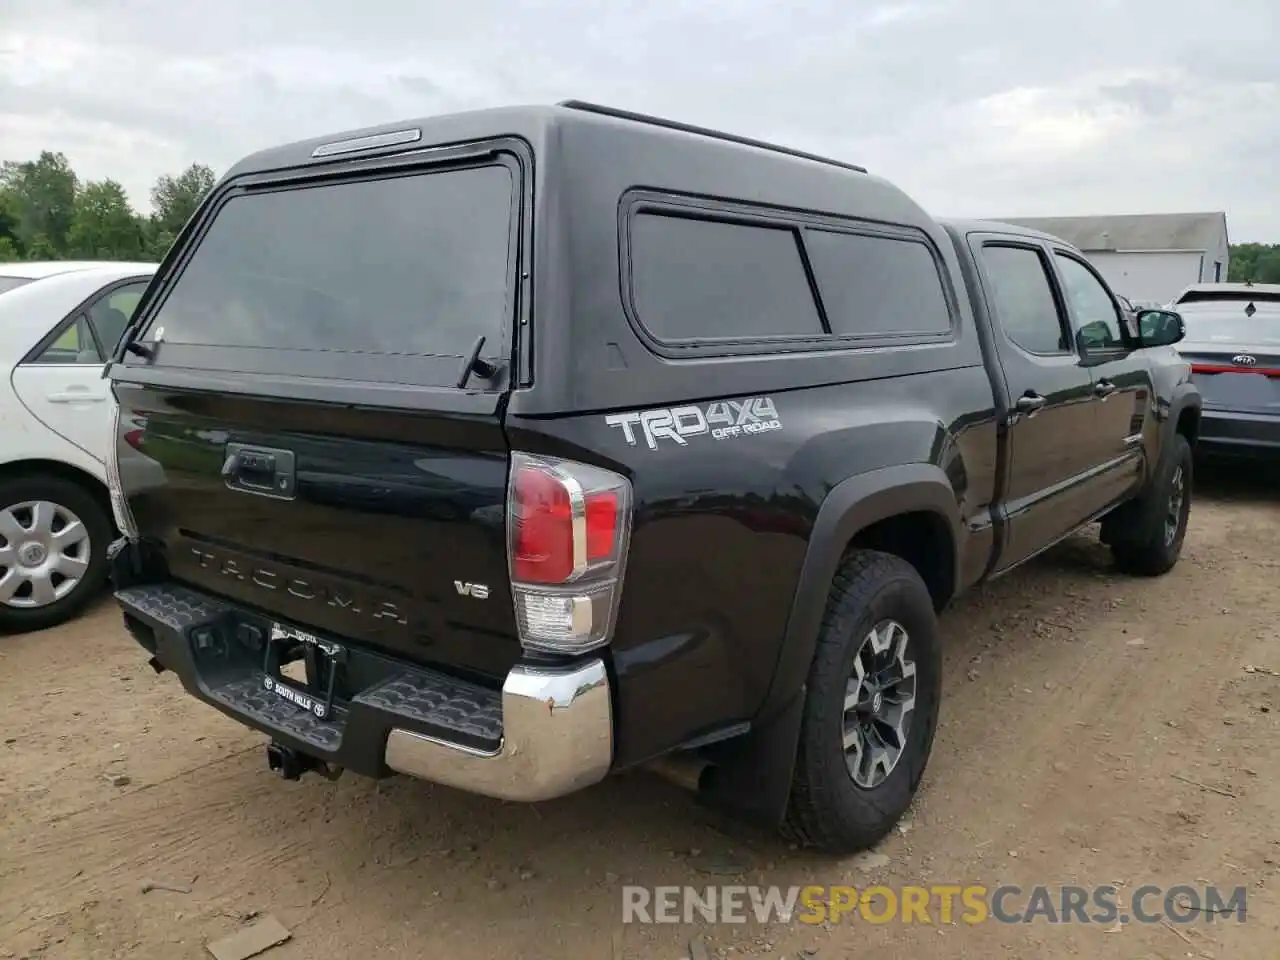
568	532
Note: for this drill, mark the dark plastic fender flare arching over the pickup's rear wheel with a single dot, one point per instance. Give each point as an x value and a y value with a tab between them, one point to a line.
852	506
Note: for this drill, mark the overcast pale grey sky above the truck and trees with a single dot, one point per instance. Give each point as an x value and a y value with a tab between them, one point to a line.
977	108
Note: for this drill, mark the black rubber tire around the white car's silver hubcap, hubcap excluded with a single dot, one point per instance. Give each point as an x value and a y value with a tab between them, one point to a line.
93	514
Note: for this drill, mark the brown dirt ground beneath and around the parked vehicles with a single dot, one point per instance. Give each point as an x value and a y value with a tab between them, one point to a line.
1095	730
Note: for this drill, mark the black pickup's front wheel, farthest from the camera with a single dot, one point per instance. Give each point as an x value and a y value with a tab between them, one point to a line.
1142	536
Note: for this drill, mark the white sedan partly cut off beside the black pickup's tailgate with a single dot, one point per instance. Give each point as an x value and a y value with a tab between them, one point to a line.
60	323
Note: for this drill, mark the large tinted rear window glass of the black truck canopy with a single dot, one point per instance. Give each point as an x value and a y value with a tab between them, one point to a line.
410	266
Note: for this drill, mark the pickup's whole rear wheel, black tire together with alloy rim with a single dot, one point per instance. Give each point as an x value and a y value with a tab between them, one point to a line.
872	707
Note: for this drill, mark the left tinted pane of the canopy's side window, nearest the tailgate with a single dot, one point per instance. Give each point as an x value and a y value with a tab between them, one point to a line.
706	280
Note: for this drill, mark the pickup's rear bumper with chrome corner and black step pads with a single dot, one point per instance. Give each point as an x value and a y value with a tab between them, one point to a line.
546	734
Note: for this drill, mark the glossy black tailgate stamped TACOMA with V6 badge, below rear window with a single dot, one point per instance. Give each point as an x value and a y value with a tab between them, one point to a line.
383	518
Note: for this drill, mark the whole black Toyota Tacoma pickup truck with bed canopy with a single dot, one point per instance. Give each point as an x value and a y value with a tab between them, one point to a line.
513	449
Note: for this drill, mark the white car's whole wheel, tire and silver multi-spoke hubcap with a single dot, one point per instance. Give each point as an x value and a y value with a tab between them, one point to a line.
53	551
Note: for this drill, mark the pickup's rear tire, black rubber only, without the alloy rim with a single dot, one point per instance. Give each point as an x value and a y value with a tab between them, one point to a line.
828	808
